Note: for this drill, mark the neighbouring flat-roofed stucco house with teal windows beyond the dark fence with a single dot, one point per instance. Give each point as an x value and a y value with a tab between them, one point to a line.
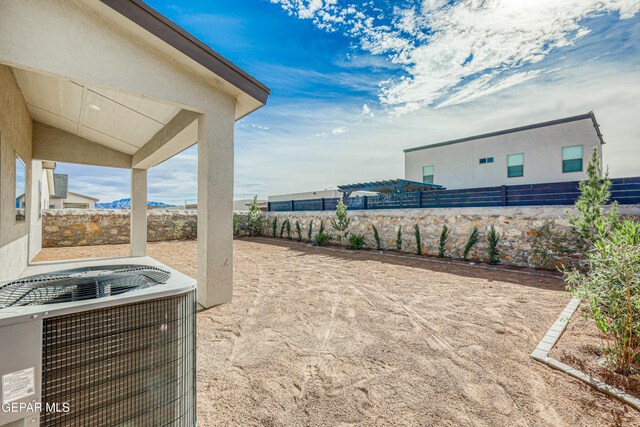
553	151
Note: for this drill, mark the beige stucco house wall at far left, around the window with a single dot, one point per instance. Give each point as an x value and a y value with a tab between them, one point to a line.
15	138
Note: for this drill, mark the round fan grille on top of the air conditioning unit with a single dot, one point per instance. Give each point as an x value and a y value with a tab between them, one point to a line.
80	284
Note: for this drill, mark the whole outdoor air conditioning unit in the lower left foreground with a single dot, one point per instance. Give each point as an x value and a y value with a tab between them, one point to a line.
108	345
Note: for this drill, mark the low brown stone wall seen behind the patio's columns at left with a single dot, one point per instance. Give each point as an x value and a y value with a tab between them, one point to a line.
79	227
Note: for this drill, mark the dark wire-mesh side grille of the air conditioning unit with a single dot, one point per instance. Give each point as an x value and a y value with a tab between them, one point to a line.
128	365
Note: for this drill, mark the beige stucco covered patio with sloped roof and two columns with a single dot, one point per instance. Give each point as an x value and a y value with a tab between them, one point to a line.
114	83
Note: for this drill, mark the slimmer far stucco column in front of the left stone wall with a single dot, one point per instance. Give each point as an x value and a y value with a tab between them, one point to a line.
138	212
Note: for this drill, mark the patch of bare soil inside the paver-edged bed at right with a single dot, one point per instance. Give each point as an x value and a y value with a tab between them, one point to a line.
580	347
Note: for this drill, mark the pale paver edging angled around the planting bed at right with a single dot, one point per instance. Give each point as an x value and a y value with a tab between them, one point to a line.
541	354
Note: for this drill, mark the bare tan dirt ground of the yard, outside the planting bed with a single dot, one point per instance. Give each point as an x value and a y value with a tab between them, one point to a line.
317	336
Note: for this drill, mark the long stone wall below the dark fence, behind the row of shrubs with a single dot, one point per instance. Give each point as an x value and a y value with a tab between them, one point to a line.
516	226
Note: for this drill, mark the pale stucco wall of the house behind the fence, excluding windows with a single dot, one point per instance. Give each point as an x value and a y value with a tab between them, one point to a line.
457	165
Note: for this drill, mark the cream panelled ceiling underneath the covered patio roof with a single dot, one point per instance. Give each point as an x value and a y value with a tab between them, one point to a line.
114	119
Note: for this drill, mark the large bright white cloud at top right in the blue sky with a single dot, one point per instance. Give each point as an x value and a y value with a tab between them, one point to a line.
458	52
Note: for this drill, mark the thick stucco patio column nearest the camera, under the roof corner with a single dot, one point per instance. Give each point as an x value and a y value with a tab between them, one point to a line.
215	206
